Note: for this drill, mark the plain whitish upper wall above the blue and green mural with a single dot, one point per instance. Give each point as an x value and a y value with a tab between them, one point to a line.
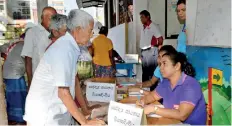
209	23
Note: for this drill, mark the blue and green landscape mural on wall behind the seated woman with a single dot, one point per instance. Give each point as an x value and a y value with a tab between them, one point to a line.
203	58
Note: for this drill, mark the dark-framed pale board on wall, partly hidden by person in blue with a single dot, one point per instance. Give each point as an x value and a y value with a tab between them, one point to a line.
172	24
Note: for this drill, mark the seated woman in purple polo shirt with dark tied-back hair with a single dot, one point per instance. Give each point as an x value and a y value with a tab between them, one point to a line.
182	96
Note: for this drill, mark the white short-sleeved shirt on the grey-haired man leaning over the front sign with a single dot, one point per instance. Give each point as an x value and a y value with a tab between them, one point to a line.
56	69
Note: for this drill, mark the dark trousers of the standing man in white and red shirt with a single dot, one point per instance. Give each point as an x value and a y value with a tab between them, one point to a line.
149	62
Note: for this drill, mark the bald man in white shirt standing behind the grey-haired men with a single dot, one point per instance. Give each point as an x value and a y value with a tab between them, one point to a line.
36	42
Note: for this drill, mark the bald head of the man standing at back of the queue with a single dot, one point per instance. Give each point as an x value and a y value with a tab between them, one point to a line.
47	13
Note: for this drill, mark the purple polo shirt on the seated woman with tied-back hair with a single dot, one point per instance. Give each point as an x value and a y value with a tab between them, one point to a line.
187	90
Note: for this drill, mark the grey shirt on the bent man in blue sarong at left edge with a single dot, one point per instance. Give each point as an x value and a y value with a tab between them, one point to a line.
14	66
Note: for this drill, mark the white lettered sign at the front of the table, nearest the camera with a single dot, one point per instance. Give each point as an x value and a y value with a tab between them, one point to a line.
124	115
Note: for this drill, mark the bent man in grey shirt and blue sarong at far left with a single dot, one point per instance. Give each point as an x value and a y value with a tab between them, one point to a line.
16	88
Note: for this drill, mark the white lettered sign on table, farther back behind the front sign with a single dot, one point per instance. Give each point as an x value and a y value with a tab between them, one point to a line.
100	92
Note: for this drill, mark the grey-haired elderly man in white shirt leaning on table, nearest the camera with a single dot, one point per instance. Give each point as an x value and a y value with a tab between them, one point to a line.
50	100
